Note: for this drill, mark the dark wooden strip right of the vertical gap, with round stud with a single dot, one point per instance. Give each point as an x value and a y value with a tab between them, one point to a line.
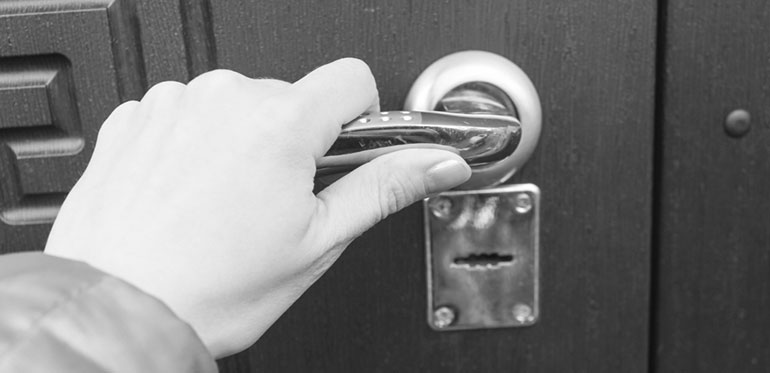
713	246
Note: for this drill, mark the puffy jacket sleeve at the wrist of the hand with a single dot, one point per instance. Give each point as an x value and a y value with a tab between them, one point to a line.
59	315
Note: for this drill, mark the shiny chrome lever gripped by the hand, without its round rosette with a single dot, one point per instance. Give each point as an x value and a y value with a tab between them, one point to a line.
478	138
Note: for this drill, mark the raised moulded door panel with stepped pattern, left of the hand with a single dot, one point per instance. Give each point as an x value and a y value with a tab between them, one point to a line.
63	67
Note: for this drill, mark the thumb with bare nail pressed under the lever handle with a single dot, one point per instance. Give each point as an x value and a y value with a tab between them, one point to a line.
384	186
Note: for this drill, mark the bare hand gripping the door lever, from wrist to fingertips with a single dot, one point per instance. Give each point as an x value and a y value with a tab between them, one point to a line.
202	195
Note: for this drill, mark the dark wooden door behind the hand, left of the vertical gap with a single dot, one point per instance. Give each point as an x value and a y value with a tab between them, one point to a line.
593	64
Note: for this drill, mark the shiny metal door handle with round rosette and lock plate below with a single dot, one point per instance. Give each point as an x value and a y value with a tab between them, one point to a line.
481	241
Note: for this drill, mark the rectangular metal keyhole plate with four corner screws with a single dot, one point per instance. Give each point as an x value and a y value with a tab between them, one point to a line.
482	257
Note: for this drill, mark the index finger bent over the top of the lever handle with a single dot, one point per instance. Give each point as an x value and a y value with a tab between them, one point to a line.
331	96
